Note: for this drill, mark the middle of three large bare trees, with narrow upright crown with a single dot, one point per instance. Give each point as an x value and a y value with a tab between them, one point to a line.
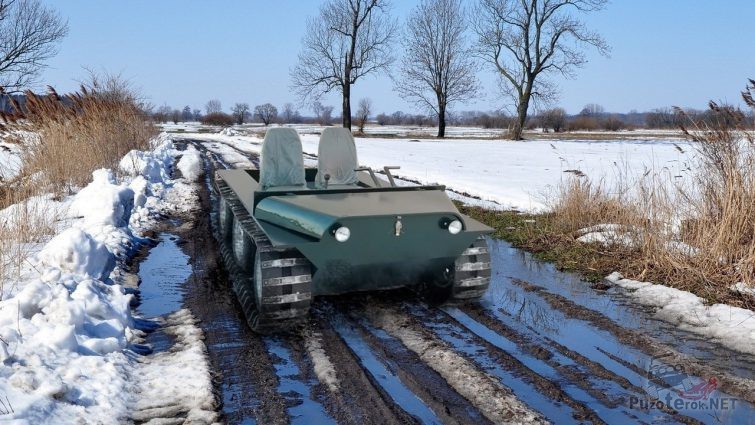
436	69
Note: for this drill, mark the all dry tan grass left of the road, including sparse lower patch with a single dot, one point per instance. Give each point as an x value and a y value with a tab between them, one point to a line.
63	139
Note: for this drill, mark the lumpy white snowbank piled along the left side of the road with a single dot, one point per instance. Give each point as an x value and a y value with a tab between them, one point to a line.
68	339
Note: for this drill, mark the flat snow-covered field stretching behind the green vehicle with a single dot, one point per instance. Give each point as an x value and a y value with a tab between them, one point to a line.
521	175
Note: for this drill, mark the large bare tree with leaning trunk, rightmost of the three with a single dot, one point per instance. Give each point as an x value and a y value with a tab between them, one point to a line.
526	41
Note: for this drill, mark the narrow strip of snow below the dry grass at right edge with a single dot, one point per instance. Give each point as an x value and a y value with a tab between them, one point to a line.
730	326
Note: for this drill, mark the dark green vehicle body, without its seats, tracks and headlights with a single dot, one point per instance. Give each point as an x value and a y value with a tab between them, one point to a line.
374	257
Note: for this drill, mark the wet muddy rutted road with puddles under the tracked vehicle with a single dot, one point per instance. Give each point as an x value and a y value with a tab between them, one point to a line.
541	347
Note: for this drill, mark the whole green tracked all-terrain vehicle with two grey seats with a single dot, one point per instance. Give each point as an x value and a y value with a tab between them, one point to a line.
288	233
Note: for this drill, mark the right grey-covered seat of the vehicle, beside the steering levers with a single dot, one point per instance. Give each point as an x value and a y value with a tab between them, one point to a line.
337	156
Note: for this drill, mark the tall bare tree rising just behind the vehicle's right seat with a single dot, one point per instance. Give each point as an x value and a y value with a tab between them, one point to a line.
346	41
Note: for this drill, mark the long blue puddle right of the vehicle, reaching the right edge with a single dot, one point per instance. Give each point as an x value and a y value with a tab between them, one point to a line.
529	314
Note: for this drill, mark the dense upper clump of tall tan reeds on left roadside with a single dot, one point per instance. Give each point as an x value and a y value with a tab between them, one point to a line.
79	132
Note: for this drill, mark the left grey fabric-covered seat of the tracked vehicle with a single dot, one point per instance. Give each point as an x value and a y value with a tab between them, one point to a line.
282	161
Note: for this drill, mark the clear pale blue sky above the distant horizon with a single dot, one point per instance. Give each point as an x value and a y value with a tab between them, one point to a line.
664	52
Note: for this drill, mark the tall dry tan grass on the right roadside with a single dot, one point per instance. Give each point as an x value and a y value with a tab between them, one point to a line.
714	215
